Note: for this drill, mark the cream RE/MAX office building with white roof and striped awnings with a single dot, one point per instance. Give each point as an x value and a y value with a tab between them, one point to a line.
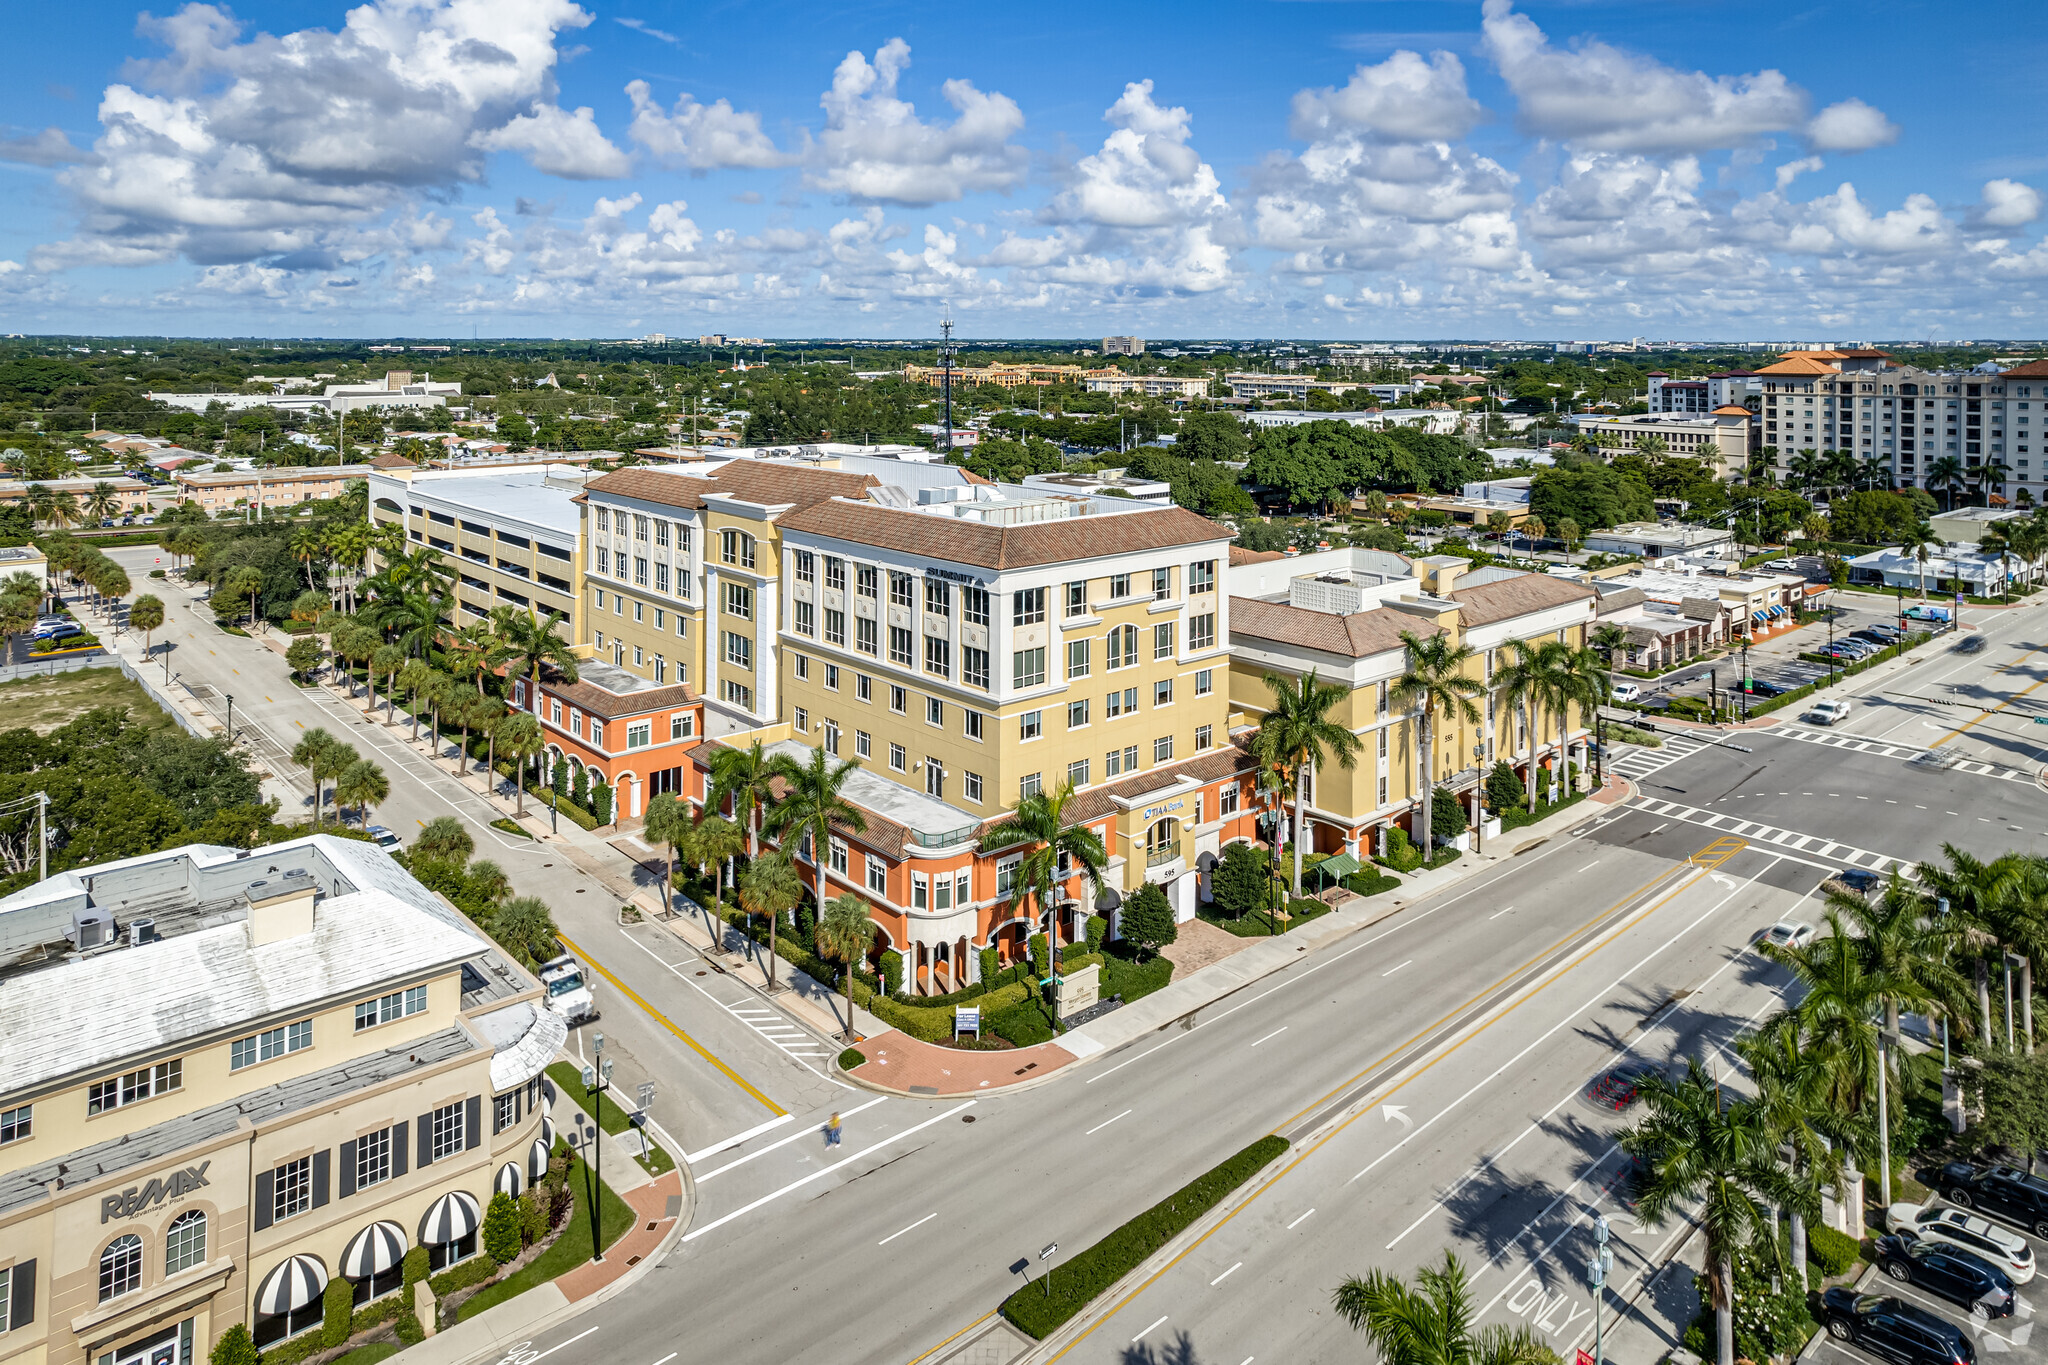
237	1077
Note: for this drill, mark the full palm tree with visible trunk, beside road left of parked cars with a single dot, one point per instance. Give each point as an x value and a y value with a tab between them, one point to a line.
1697	1145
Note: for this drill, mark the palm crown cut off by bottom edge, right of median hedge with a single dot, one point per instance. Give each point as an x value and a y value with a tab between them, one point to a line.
1433	1323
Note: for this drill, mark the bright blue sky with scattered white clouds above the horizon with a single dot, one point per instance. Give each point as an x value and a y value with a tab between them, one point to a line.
1347	169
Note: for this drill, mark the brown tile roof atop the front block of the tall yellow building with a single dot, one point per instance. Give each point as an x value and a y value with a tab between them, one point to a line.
1005	547
